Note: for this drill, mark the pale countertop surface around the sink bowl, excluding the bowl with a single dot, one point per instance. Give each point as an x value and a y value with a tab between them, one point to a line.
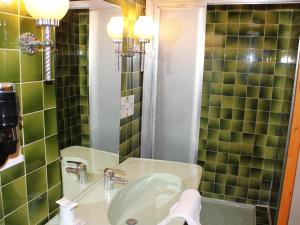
94	202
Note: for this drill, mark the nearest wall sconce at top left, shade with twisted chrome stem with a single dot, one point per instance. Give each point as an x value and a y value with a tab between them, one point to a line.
47	13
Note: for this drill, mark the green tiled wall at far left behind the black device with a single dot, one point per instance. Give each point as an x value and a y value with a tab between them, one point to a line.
29	190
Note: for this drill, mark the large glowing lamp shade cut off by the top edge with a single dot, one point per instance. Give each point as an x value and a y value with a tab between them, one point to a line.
47	9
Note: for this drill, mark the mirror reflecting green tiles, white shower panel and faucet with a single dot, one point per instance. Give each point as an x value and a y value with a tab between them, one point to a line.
88	95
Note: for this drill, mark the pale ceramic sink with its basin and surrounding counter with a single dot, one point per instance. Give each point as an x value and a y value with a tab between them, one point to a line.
154	186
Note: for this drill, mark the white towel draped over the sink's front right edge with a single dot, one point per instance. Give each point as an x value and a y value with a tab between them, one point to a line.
188	207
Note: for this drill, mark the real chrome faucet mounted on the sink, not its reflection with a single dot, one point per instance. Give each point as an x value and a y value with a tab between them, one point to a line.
110	178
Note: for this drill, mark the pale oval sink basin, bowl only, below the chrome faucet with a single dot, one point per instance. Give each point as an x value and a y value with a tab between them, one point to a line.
150	196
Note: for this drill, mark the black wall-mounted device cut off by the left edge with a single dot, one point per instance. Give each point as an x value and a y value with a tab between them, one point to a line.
9	121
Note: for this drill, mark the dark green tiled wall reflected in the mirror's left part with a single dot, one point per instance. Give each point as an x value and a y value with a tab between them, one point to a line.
72	79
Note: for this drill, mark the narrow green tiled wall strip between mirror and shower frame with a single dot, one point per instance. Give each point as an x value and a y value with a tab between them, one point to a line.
131	84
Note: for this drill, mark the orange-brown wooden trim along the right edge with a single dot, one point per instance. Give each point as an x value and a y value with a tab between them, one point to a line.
291	161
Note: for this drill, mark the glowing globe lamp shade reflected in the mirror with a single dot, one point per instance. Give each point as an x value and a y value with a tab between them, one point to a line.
115	27
